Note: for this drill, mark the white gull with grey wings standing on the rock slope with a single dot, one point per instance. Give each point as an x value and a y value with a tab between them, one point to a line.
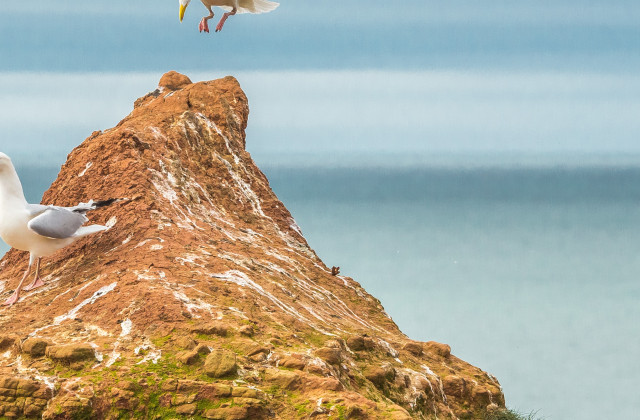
39	229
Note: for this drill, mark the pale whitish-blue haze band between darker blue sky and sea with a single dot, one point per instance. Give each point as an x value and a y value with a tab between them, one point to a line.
342	115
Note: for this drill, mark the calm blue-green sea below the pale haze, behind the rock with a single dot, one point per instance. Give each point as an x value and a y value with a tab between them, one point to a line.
529	273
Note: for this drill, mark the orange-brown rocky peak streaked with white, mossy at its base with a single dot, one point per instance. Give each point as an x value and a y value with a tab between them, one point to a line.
204	299
